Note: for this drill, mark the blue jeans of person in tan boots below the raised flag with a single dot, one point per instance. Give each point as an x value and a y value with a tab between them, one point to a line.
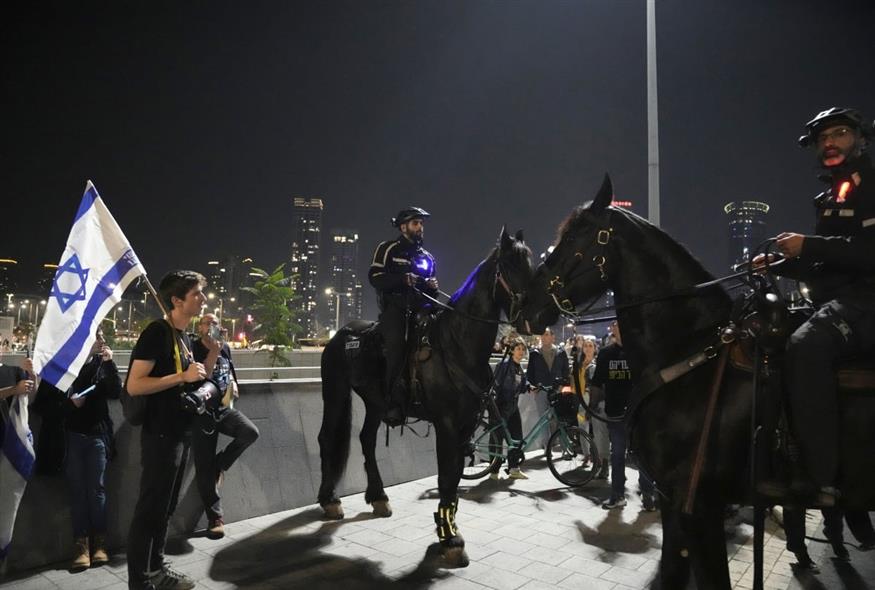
85	467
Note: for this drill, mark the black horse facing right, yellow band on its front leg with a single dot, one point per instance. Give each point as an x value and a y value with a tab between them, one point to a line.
452	378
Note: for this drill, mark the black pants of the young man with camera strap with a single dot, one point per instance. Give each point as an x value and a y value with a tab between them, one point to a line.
163	459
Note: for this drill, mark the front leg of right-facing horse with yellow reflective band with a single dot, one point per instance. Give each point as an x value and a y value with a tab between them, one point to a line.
449	459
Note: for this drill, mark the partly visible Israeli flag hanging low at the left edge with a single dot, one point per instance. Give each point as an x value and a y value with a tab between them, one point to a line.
16	464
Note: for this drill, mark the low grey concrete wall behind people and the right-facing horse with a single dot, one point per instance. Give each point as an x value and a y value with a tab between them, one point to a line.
280	471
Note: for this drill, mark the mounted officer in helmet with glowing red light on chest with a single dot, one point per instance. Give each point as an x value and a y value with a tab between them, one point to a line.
838	266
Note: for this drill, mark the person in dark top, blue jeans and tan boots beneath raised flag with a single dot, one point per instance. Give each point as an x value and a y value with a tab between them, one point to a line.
89	437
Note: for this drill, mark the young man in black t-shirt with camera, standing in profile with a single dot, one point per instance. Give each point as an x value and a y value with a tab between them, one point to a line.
162	368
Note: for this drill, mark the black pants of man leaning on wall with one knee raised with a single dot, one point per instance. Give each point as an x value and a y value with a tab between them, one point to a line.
208	463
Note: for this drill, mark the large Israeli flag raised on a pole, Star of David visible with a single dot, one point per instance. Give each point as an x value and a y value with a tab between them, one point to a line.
95	269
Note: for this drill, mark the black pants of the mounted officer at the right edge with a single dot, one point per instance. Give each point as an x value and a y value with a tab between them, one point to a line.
838	330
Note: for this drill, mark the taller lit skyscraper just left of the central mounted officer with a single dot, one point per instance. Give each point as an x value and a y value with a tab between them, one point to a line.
306	228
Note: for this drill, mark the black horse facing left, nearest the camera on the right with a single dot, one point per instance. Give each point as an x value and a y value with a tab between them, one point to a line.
600	247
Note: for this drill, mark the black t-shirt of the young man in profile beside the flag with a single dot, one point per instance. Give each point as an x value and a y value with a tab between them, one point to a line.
164	413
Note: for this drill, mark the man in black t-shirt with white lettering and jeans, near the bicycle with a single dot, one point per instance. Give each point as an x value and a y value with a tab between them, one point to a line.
612	380
